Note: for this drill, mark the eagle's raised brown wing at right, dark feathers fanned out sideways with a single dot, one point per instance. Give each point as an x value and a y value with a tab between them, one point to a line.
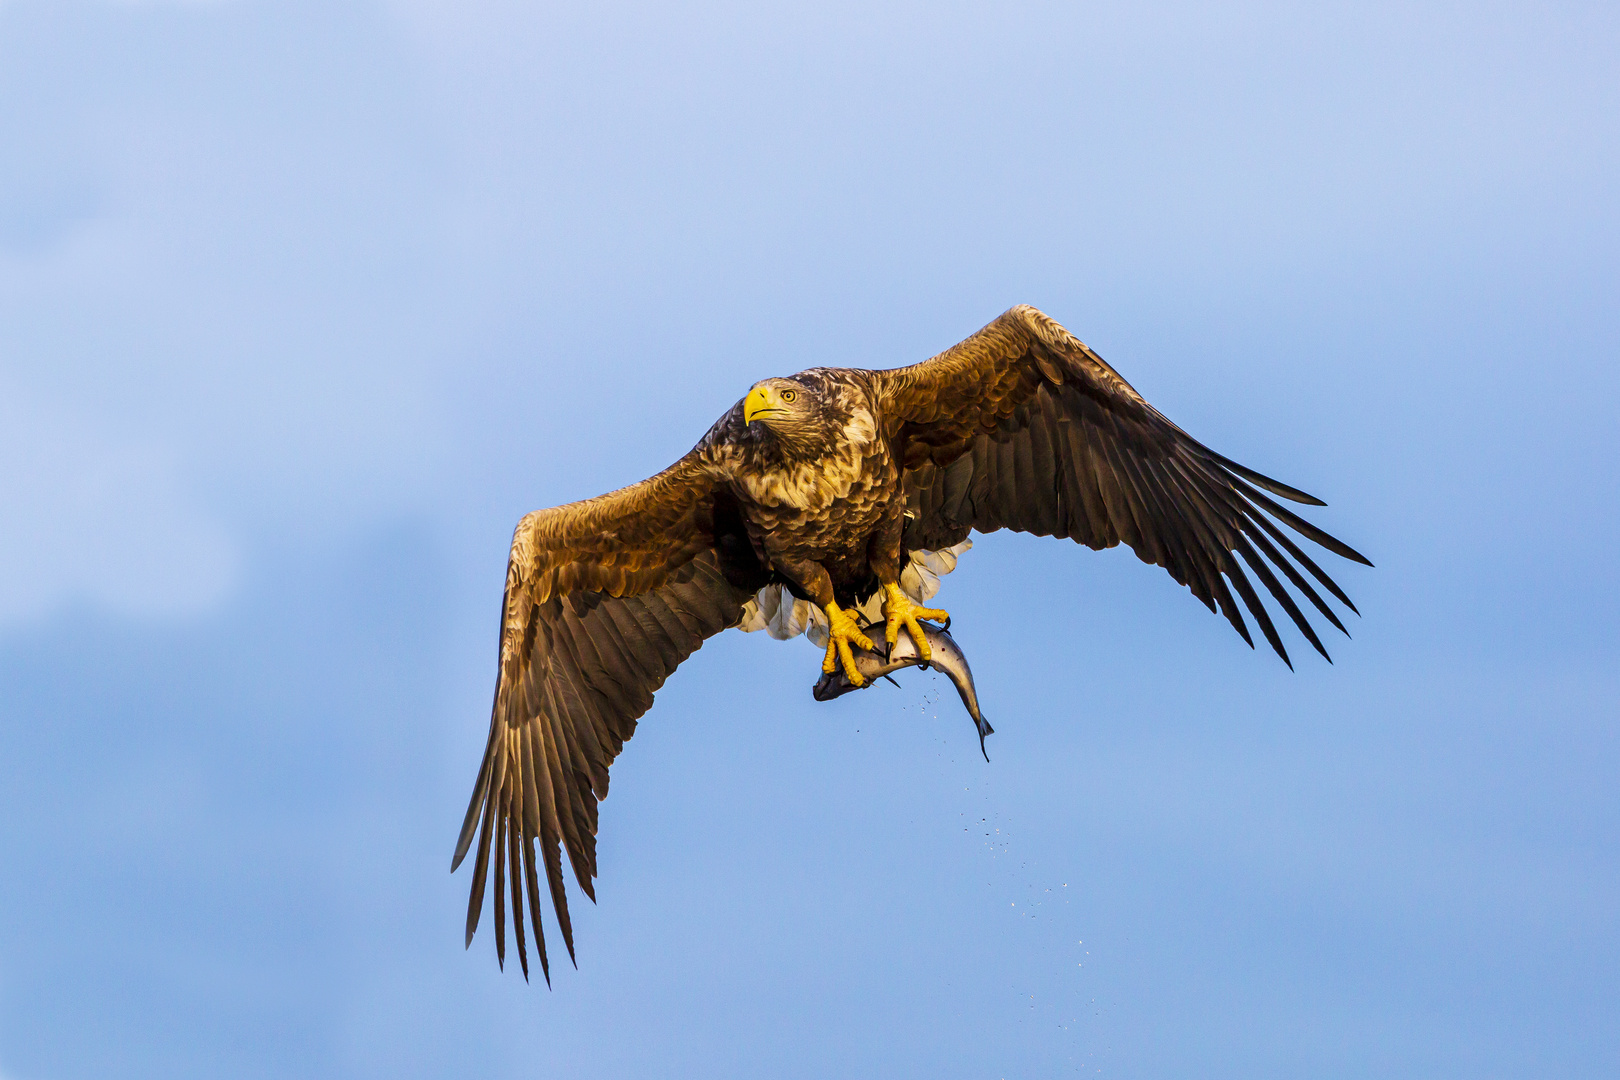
1023	427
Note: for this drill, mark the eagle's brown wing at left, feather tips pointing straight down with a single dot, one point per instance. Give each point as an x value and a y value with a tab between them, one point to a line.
603	600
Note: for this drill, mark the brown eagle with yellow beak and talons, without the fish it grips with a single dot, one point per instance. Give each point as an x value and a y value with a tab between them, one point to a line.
829	503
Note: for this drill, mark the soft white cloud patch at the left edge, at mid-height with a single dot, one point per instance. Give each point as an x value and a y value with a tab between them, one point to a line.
92	517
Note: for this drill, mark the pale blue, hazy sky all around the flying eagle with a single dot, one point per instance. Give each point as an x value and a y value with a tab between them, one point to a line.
304	305
